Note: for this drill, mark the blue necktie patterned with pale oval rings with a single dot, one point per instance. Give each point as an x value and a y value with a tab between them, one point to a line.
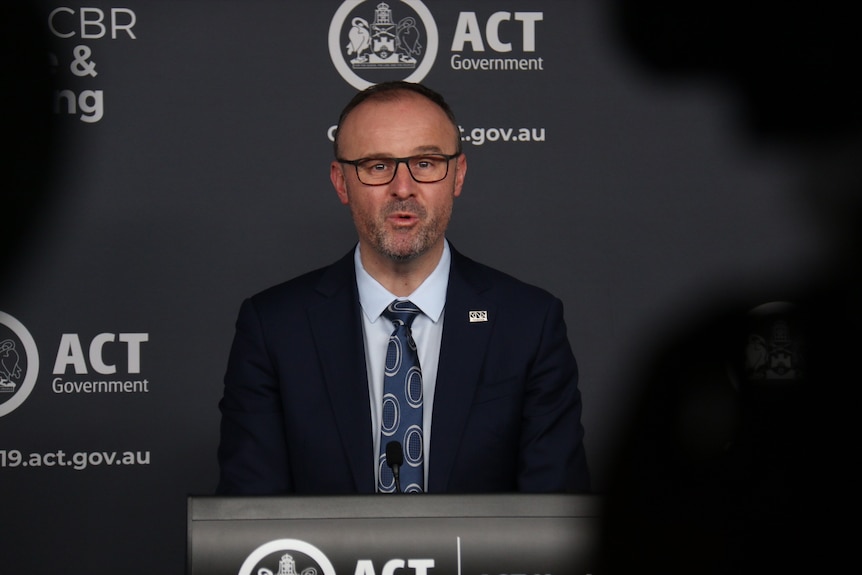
401	418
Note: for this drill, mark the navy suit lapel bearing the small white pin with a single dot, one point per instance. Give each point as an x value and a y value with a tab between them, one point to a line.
462	357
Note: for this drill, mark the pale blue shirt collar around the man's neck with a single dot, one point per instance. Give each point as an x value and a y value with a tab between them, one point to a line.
430	296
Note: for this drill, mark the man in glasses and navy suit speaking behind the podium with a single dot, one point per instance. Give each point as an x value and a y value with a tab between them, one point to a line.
305	407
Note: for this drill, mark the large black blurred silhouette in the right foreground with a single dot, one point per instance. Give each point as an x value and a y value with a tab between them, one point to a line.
740	454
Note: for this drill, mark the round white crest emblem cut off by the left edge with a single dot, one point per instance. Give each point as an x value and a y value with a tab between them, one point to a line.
19	363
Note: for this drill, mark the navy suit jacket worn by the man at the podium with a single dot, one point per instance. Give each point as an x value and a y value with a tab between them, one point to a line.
507	409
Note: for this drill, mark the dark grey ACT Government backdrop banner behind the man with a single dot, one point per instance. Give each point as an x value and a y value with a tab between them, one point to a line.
167	159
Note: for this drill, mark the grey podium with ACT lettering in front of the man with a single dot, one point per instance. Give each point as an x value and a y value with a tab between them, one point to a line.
427	534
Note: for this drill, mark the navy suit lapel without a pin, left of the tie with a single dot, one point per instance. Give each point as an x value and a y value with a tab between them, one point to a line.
337	327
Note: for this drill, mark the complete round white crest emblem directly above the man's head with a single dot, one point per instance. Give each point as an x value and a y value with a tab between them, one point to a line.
373	41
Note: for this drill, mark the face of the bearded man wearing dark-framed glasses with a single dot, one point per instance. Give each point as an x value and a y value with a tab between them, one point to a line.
404	219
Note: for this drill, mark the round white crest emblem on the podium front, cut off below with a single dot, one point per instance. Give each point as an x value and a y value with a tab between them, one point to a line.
287	556
